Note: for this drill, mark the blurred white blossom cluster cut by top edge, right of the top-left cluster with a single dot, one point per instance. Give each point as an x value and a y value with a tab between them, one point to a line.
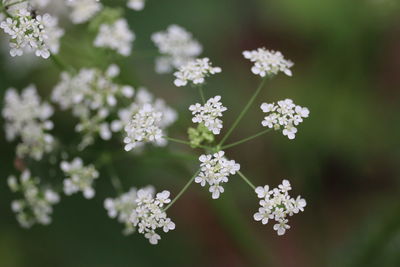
83	10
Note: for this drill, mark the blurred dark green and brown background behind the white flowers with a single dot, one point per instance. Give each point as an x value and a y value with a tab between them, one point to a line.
345	159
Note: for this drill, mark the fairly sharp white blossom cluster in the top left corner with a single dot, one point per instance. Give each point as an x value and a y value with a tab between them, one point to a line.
27	33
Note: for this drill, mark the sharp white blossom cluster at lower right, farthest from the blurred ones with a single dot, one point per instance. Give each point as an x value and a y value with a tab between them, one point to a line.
277	204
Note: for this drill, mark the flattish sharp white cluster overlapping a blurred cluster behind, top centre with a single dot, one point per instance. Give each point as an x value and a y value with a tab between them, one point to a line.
195	71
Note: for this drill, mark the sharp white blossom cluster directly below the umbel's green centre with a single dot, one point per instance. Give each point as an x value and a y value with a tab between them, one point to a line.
214	171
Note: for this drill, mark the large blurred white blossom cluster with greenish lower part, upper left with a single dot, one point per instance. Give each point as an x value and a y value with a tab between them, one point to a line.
92	95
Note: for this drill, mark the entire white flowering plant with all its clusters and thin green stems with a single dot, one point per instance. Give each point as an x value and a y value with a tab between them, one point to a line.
131	118
